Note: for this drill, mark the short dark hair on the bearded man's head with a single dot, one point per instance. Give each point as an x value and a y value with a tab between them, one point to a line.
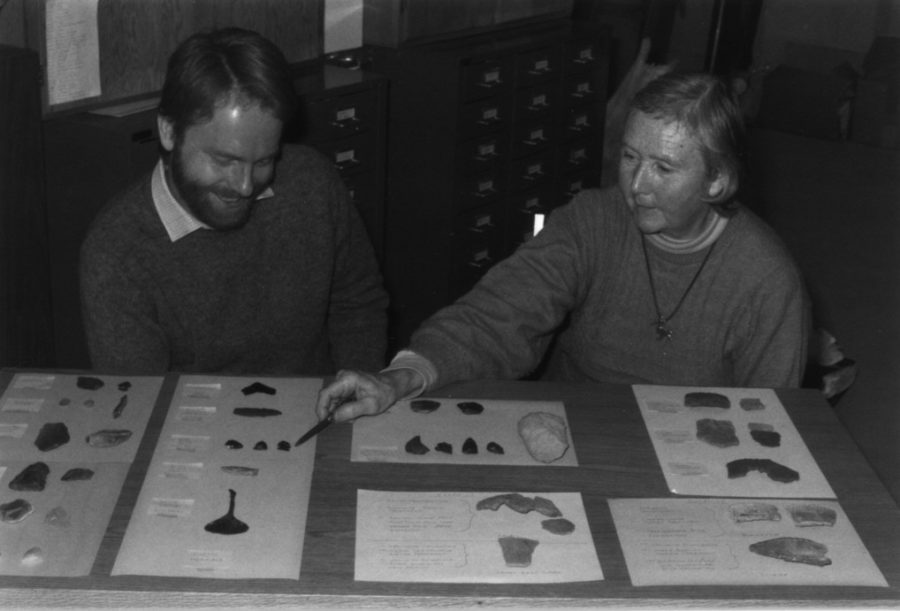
210	69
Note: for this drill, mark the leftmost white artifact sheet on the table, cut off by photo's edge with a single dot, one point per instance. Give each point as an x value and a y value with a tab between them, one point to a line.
61	535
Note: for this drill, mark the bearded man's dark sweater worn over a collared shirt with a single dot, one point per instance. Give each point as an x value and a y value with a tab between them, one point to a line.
295	291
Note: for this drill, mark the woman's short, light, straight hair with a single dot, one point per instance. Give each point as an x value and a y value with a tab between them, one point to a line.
705	105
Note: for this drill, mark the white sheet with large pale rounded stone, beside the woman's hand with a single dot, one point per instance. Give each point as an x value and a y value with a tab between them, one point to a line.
384	438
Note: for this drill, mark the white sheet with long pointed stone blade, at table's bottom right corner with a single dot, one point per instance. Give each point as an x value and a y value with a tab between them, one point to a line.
707	541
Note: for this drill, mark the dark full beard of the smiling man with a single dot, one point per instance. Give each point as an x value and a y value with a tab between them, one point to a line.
198	199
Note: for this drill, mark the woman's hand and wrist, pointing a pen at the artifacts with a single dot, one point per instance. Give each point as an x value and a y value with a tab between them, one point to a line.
356	393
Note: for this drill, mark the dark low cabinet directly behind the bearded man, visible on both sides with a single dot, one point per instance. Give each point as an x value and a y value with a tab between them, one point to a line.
90	157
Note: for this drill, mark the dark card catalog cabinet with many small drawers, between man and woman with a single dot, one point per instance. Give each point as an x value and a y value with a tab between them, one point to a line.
484	133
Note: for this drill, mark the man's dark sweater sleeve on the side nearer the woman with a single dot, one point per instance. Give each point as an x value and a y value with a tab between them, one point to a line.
357	319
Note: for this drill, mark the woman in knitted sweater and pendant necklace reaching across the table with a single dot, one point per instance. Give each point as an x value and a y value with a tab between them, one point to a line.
663	279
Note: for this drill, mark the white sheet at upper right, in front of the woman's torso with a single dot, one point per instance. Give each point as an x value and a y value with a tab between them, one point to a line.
695	467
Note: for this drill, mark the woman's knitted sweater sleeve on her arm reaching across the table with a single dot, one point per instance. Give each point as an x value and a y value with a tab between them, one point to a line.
504	325
